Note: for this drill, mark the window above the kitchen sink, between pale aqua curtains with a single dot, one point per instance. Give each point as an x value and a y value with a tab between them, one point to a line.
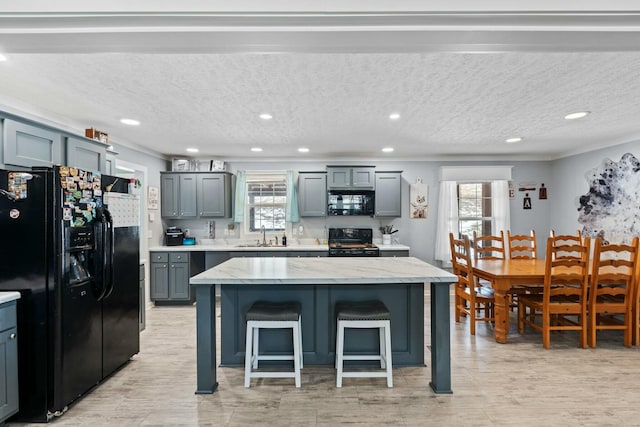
266	202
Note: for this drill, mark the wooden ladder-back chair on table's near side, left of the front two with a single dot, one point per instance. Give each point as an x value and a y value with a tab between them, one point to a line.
562	305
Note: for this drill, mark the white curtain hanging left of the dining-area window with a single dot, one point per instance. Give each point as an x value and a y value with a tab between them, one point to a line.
447	221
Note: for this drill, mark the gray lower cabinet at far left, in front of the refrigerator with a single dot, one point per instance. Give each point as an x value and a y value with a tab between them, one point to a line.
8	361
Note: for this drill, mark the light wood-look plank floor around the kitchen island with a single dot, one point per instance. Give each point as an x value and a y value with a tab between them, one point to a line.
516	384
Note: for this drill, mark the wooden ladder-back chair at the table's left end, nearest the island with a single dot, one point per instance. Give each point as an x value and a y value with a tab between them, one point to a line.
471	300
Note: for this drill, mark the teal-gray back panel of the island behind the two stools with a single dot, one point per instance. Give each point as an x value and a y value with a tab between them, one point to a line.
405	301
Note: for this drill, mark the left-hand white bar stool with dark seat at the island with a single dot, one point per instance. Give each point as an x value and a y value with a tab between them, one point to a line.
272	315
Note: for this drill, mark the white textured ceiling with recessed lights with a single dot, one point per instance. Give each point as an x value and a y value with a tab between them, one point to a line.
452	104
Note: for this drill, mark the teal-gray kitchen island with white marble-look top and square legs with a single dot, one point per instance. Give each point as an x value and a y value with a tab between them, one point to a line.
318	283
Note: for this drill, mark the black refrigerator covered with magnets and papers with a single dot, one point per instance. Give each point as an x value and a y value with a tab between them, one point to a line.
70	246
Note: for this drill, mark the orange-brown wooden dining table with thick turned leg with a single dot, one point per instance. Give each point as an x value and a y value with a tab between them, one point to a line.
504	275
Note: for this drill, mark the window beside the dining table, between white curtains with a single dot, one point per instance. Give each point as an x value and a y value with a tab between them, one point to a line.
475	208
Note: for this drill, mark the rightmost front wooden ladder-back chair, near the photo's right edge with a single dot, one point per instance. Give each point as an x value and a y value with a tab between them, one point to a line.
612	289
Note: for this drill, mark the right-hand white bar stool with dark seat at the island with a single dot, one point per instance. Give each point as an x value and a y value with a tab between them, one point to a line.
364	315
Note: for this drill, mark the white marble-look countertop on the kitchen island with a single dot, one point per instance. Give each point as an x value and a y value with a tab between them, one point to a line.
323	271
